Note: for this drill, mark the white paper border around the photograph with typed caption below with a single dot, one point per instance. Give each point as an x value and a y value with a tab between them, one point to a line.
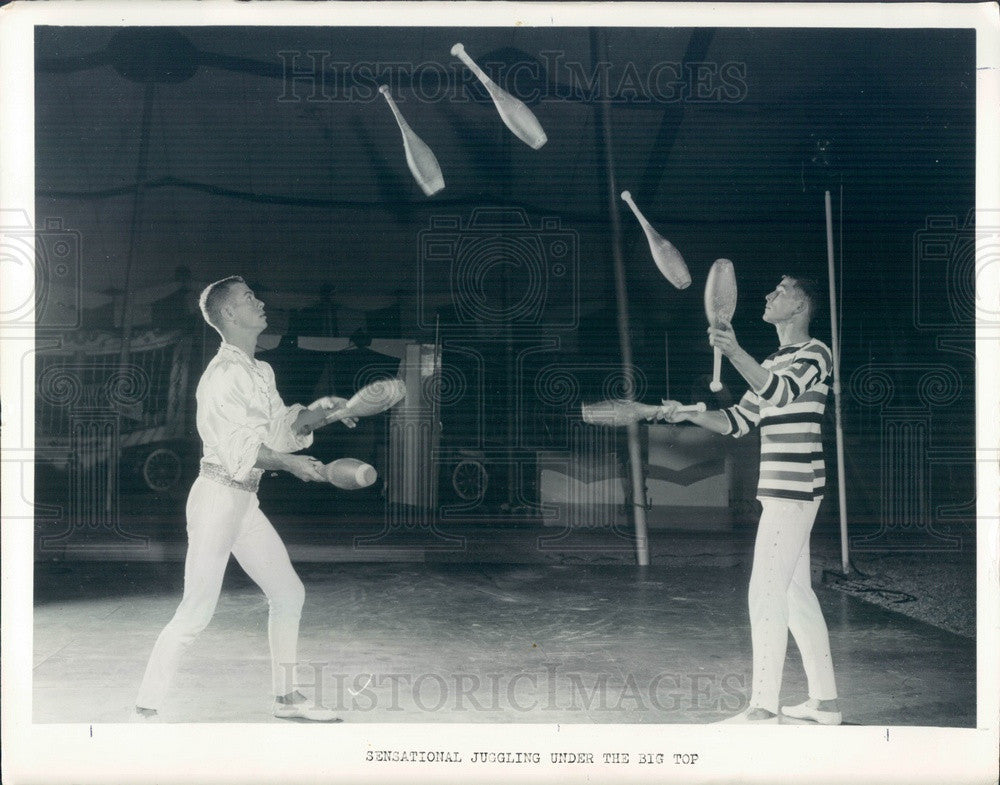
243	753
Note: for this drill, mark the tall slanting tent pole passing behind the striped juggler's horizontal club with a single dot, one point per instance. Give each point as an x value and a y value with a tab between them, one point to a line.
621	296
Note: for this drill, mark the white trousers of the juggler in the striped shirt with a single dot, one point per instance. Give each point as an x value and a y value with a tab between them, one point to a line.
781	599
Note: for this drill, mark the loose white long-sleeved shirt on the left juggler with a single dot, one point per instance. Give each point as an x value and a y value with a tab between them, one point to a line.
239	409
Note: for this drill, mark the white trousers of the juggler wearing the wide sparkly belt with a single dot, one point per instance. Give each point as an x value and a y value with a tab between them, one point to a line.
223	520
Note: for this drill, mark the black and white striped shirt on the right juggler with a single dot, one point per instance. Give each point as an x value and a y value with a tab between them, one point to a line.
789	411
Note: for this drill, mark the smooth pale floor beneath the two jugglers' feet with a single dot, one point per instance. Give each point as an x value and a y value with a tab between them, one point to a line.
467	642
